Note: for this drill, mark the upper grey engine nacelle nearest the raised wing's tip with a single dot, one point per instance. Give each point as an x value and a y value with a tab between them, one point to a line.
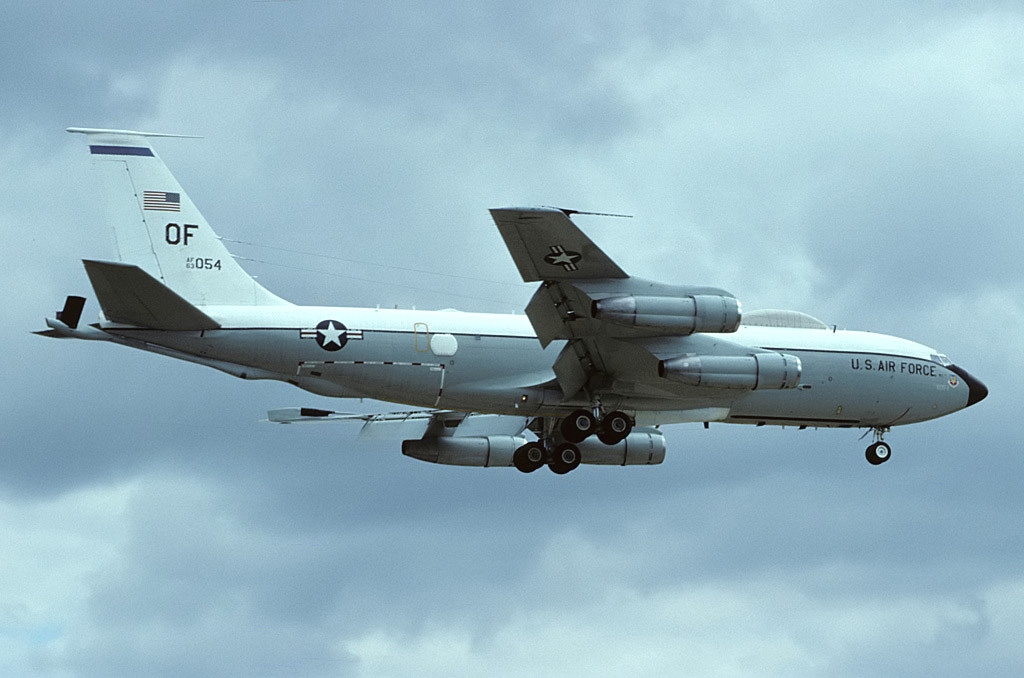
700	313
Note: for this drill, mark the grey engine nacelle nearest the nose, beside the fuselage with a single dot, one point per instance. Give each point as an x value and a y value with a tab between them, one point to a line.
761	371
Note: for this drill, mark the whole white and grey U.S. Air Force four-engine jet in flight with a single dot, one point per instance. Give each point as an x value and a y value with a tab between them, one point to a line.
601	361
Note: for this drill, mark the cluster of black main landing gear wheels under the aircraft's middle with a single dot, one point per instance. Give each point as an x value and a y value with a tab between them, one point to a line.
564	456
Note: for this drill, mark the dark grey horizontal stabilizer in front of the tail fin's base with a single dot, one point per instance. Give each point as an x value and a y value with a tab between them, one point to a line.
132	296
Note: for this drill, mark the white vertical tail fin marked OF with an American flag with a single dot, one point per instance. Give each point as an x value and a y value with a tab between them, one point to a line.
159	230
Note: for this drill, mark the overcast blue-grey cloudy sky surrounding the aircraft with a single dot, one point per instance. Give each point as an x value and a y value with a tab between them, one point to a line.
865	164
